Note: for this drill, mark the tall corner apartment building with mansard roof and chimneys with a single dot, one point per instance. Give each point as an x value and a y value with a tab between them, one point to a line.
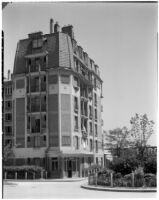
56	102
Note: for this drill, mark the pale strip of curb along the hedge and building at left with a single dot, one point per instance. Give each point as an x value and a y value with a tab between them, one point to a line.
45	180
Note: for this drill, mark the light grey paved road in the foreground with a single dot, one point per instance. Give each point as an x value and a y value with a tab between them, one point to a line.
61	190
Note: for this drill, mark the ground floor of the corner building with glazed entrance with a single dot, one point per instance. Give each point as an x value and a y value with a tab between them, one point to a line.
63	166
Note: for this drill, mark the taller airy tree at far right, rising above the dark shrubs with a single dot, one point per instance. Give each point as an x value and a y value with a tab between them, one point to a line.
141	130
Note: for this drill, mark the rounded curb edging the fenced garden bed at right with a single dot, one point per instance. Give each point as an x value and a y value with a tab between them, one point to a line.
99	188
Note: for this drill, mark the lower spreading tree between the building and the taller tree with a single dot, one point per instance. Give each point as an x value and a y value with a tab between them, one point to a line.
116	140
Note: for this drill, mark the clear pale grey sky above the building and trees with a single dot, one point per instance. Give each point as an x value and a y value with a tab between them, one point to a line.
120	37
